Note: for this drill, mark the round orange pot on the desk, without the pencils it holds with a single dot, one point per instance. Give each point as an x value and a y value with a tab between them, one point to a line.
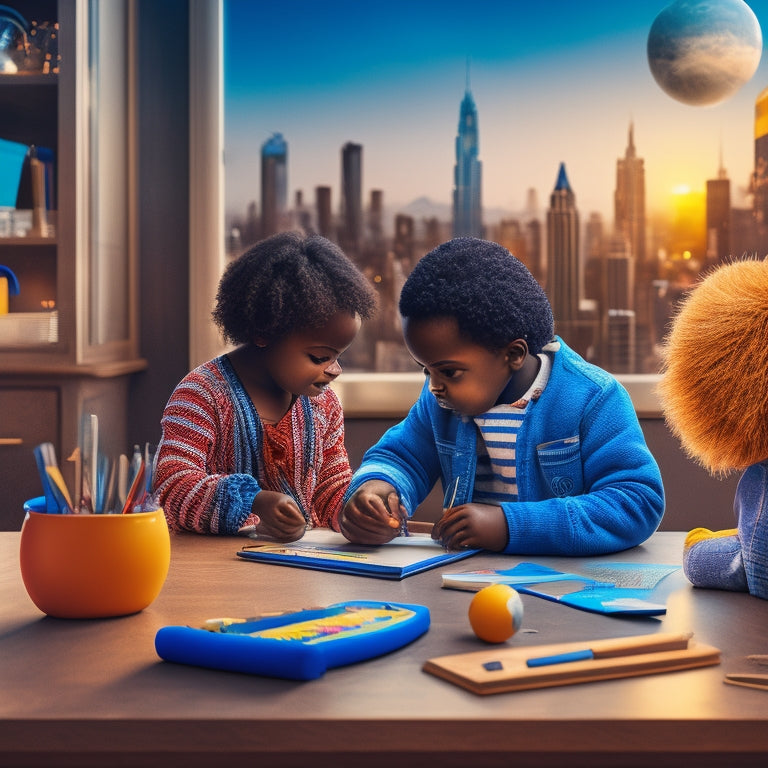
92	566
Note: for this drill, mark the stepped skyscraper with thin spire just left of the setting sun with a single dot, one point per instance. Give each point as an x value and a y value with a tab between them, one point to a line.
629	199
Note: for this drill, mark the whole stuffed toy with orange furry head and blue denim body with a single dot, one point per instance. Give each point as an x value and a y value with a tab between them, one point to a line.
714	394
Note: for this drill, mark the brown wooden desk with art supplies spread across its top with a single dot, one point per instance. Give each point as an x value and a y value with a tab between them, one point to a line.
94	693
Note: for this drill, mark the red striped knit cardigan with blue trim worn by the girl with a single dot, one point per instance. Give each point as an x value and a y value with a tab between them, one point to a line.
215	454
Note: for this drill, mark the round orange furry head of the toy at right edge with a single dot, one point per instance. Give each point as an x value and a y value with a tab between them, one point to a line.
714	388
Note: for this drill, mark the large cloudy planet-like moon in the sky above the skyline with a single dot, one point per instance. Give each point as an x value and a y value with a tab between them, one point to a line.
702	51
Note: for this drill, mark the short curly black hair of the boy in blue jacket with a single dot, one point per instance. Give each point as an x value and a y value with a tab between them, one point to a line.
492	295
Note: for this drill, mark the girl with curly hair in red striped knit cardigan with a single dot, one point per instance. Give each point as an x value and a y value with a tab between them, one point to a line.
253	440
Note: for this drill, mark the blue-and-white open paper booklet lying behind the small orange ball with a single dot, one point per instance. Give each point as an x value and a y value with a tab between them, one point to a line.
608	588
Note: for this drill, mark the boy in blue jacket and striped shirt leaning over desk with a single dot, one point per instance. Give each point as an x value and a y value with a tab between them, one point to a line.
543	451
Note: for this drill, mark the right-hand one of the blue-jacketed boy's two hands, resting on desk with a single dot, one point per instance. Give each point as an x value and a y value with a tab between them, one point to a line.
472	526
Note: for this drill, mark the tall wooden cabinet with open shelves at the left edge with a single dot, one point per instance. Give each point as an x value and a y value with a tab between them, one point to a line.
70	340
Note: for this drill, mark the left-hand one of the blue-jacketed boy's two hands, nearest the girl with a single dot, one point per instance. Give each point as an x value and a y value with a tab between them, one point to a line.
373	515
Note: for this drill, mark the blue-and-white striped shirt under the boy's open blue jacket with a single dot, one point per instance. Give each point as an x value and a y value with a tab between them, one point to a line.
496	473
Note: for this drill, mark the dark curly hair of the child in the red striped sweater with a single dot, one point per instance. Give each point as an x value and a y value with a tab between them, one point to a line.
288	282
